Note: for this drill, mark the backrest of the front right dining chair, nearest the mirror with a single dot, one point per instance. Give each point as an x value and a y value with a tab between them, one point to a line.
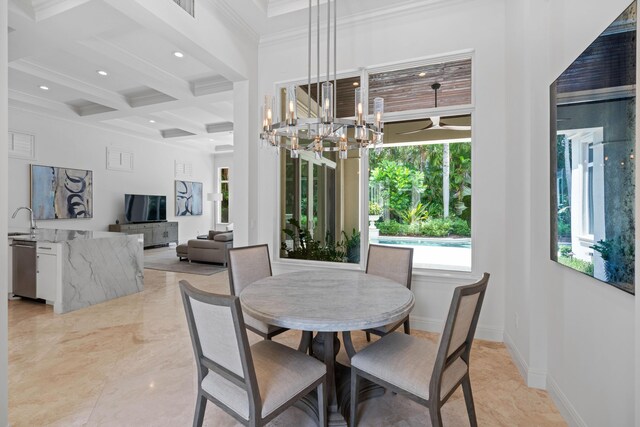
459	330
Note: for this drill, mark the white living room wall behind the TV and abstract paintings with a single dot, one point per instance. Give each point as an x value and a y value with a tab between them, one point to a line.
66	144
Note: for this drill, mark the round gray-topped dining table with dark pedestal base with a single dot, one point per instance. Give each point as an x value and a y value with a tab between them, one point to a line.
328	302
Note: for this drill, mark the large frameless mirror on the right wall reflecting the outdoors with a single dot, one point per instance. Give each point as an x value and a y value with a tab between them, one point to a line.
593	129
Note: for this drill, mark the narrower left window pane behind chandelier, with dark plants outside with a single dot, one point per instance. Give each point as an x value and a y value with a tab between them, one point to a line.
320	198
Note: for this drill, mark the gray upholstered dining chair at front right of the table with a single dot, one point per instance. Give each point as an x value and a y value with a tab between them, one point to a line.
426	372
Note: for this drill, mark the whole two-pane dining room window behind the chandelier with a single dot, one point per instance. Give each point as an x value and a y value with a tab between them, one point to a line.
419	184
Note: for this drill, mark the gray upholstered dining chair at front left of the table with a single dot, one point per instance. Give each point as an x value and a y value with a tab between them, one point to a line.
253	384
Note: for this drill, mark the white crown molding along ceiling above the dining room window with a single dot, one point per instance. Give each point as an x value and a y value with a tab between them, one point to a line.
397	9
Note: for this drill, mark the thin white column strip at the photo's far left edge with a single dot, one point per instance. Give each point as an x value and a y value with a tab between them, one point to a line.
4	178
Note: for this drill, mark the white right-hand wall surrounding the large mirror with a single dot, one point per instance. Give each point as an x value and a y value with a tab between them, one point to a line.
574	334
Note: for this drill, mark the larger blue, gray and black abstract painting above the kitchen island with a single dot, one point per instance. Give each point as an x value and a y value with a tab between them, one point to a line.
61	193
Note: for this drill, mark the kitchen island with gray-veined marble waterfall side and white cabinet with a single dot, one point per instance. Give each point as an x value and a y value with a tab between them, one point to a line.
76	269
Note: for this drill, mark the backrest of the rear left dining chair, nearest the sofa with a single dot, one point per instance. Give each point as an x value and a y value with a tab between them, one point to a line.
247	265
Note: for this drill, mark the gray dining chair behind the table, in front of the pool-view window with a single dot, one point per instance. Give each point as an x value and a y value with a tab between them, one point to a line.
394	263
